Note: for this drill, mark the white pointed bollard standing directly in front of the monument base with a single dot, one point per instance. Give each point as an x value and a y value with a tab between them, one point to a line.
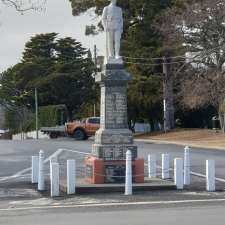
128	183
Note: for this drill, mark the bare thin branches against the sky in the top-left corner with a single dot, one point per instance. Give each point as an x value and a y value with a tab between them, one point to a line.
25	5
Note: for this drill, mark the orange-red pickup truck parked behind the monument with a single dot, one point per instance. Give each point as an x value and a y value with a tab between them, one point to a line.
81	130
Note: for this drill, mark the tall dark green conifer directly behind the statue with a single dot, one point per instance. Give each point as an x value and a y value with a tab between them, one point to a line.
141	39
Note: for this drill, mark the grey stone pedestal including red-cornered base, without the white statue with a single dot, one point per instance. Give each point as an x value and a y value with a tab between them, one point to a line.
113	139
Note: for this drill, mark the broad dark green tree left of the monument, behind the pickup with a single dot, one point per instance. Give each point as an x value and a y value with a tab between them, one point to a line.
59	68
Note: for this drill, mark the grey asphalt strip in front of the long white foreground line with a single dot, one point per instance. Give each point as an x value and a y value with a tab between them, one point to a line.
170	215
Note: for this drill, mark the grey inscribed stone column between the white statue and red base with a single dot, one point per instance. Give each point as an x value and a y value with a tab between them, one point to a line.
113	139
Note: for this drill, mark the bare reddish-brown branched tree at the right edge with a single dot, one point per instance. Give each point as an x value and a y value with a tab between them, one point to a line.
199	27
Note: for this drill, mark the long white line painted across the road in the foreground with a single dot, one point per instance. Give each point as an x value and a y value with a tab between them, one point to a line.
113	204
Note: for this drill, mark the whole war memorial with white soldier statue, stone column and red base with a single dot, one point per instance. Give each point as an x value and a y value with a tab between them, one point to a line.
113	139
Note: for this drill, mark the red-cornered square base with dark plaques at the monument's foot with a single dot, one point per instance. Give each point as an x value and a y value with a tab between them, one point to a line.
99	171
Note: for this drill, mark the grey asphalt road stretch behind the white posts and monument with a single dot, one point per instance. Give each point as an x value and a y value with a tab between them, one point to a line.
16	155
